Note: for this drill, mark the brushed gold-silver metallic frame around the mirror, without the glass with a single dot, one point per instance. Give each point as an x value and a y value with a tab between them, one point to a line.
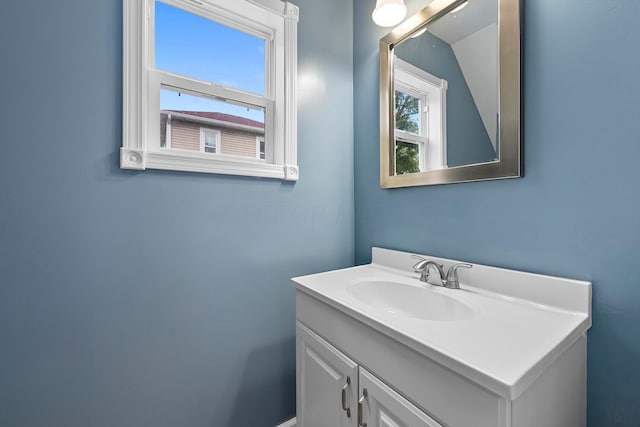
510	162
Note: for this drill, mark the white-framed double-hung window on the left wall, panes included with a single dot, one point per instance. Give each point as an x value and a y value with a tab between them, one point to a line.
199	73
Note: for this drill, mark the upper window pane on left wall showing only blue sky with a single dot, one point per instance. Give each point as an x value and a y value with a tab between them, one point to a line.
193	46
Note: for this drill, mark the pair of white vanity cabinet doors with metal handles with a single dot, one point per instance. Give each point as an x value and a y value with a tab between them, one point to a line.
327	384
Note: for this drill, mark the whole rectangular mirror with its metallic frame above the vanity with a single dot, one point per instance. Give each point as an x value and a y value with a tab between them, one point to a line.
450	95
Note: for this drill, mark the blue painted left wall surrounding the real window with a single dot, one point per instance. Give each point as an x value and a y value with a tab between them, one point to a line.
153	298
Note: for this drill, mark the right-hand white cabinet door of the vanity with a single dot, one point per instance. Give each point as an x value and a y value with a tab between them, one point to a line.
380	406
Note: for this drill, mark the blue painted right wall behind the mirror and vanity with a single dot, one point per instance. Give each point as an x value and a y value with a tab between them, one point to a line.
577	211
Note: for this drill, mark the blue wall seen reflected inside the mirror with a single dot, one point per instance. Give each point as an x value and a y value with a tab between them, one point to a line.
467	139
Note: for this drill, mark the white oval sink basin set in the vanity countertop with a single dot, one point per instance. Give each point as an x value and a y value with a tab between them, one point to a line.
410	301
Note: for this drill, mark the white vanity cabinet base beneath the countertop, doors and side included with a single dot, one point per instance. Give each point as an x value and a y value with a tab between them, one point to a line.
405	388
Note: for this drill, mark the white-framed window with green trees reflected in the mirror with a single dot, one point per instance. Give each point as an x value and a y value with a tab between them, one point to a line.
420	120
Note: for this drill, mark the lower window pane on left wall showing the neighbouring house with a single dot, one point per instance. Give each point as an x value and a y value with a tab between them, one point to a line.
189	122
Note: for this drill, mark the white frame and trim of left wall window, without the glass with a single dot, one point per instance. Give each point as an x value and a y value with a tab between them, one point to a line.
273	20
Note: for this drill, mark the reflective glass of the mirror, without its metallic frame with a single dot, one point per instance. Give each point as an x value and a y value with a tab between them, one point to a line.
446	91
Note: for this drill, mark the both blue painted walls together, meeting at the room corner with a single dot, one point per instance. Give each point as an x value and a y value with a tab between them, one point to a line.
201	321
